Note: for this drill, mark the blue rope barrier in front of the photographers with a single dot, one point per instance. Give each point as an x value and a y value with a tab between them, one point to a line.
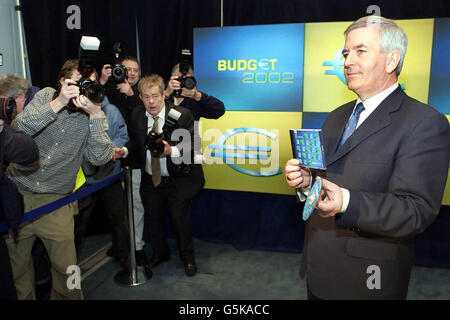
80	193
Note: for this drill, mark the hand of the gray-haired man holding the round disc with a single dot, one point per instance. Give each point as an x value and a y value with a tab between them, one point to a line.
332	203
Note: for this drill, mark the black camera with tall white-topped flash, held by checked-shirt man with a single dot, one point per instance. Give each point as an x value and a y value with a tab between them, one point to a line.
86	66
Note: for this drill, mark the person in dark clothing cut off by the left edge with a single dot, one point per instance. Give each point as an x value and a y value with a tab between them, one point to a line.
18	147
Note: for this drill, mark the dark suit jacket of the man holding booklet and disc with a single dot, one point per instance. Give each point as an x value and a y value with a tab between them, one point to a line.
395	166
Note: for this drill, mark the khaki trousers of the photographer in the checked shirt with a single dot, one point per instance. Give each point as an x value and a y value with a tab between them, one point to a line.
56	230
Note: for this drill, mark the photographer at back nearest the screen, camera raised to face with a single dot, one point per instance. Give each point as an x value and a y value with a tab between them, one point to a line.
200	104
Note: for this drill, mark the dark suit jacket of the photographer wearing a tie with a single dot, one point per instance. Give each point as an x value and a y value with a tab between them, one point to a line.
187	185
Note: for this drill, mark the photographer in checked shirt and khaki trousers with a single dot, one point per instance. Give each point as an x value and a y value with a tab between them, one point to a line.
66	126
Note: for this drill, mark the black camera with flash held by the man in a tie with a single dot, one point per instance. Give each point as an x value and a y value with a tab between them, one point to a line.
154	139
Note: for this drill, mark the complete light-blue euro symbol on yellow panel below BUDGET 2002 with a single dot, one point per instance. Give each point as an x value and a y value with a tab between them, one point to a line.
221	151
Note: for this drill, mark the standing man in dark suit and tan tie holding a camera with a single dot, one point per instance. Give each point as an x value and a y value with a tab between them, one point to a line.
170	179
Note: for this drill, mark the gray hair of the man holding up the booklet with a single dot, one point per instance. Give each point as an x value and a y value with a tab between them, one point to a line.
392	37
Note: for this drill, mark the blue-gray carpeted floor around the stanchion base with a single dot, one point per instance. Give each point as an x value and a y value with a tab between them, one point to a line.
225	273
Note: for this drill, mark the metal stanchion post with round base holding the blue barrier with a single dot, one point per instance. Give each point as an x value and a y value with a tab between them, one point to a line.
135	275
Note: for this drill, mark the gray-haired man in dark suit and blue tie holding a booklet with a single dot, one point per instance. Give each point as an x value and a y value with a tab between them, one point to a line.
384	181
